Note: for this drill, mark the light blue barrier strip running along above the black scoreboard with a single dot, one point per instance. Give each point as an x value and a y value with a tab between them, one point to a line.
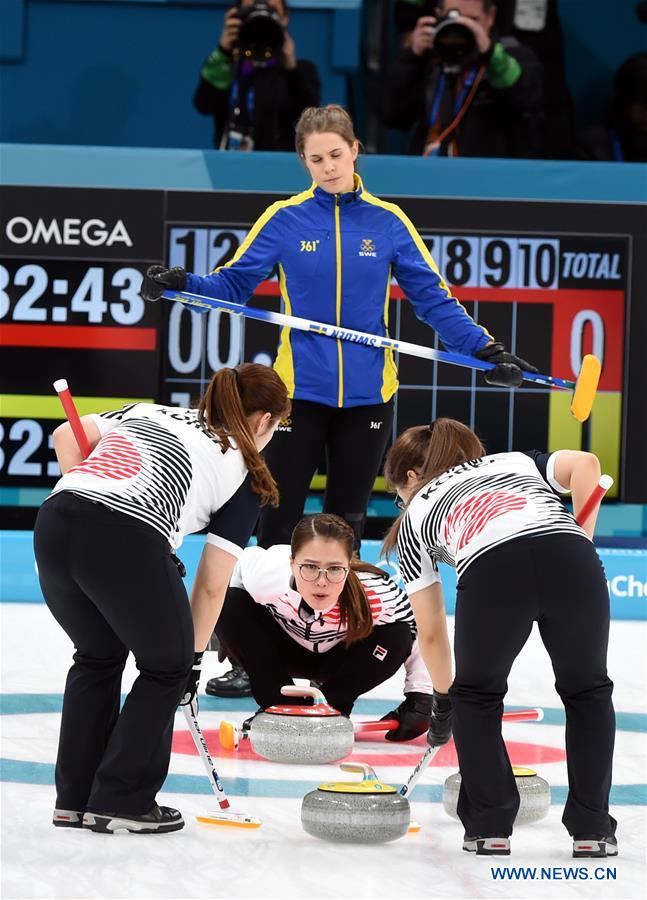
136	167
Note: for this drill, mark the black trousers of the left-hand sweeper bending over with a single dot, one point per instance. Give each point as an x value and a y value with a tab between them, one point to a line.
111	584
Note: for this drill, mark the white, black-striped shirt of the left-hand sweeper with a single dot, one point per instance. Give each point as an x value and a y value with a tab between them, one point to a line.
160	466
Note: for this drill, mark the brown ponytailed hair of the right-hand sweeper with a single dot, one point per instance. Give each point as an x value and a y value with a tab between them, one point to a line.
429	450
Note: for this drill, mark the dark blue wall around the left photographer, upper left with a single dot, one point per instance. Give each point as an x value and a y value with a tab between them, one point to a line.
125	73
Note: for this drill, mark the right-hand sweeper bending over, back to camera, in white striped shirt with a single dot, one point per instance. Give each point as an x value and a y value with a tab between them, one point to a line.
520	557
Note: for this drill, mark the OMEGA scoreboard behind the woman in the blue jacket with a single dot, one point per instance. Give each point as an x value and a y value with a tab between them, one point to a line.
546	279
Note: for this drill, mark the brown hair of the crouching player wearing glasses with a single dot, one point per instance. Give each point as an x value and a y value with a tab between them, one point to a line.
354	607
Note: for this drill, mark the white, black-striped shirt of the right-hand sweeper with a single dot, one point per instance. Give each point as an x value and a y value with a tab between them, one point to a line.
476	506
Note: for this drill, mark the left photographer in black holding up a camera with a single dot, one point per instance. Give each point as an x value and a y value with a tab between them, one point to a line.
252	83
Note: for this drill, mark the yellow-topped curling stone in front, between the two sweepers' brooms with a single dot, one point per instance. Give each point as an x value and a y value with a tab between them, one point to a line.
356	812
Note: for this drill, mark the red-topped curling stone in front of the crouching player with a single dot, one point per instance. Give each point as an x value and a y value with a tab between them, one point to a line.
302	734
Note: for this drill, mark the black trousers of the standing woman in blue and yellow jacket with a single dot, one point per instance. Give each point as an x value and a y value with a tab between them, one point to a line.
354	439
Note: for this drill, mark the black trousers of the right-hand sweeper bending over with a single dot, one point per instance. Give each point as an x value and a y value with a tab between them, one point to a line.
558	581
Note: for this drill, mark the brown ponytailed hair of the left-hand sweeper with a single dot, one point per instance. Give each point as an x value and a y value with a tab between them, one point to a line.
232	396
